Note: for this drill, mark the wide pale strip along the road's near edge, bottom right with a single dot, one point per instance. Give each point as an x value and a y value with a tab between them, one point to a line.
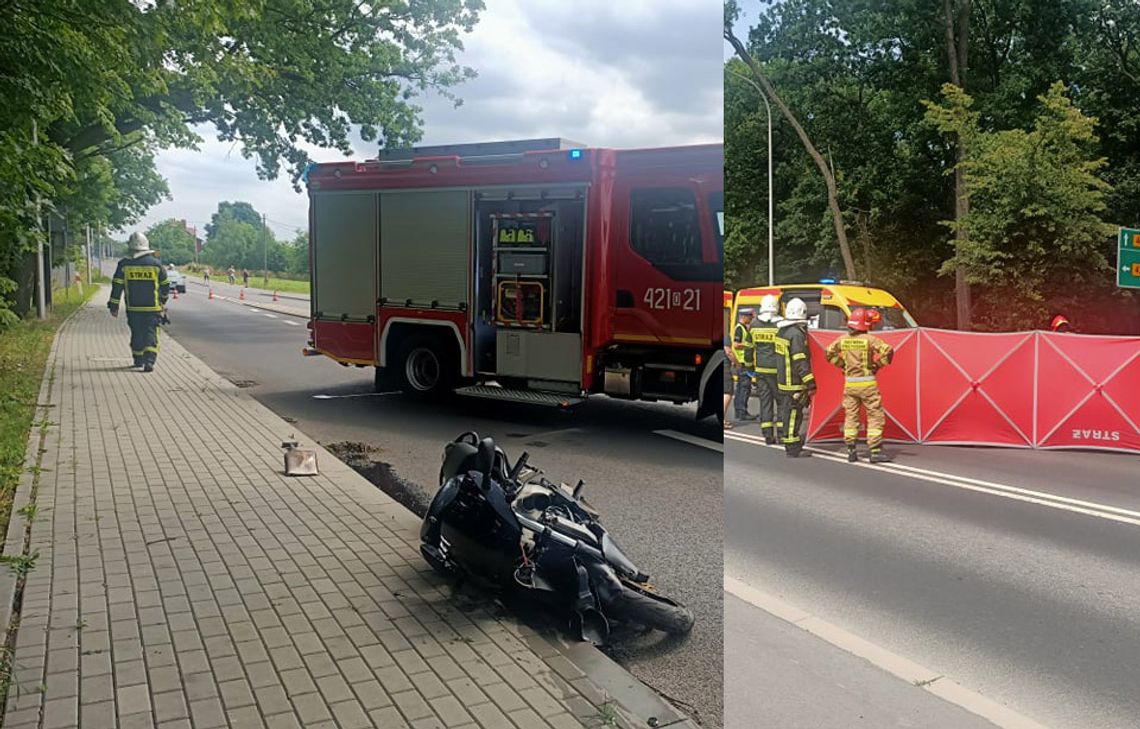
892	663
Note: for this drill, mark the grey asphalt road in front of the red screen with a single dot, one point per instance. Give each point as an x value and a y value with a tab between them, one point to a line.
1033	606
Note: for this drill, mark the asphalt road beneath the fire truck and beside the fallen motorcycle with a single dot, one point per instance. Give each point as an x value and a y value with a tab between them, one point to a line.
659	497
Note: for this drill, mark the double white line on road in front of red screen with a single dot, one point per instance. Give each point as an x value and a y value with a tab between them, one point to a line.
1043	499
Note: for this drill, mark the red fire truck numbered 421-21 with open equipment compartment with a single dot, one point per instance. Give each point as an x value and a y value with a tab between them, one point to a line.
535	271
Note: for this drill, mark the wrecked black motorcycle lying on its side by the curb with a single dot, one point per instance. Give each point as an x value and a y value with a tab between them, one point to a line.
509	528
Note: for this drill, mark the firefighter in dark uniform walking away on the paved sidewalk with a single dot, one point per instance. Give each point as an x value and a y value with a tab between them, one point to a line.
142	279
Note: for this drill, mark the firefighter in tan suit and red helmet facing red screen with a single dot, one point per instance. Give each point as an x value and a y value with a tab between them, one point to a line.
860	355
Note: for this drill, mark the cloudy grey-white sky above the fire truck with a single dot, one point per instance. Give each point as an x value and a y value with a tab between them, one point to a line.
601	72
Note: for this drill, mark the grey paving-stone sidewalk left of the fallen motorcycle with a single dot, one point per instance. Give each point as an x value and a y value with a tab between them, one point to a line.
183	581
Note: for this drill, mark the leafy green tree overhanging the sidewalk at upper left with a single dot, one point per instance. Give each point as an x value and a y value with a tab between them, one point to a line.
87	83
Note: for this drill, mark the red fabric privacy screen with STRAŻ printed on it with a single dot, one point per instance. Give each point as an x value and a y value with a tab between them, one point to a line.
1027	390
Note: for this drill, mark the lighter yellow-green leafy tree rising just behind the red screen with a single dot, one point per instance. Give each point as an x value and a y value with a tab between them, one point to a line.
1036	202
